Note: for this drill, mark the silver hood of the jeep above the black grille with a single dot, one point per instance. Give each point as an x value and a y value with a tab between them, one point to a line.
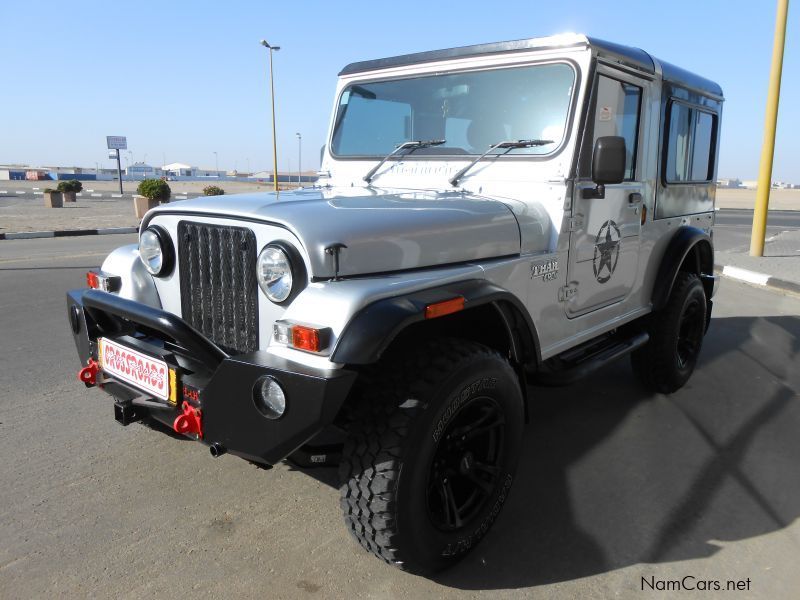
382	231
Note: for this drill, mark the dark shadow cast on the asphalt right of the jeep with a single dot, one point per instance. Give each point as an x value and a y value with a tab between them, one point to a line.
613	476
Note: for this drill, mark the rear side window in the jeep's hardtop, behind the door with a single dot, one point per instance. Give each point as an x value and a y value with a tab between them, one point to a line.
690	143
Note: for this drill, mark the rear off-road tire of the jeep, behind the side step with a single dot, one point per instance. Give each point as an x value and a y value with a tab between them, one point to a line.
659	364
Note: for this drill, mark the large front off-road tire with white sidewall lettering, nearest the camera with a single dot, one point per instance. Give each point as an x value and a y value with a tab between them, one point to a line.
399	421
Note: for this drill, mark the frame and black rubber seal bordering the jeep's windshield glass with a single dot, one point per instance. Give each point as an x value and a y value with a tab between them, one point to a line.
572	111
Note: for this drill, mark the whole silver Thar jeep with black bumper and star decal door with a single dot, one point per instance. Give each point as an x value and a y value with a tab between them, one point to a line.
486	218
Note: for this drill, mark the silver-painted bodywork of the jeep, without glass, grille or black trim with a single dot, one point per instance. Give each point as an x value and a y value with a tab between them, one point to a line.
518	221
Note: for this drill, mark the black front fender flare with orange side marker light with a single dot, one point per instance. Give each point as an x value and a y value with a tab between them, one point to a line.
375	326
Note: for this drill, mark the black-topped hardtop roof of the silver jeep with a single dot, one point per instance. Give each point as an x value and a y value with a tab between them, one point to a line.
627	55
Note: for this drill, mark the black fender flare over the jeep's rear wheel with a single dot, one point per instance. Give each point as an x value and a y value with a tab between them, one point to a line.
683	242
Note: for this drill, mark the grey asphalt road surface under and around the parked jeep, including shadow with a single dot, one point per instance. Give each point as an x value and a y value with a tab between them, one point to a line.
615	485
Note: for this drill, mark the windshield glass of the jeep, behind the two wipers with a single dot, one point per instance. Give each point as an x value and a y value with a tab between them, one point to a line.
472	111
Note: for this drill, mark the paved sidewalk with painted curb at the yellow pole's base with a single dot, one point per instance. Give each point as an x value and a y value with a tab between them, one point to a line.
778	268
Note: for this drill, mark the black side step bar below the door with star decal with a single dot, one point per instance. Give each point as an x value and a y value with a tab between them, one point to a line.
577	365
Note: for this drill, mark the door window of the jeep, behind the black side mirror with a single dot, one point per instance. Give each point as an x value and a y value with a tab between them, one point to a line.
617	113
